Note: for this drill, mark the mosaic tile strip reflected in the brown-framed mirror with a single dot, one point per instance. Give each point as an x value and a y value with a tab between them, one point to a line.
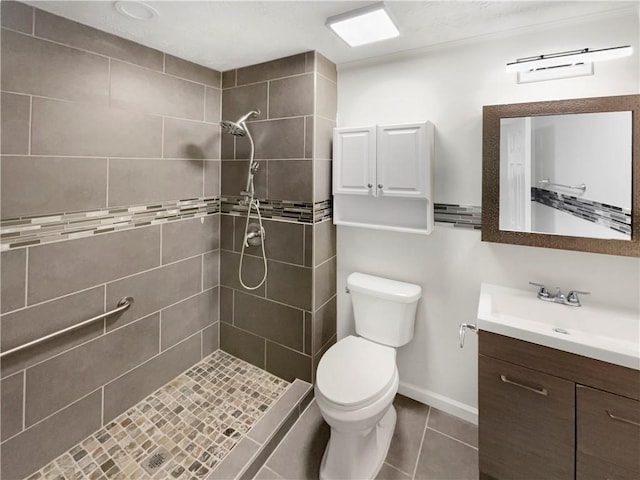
616	218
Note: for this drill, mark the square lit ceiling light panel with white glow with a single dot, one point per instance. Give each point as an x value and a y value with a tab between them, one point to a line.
364	25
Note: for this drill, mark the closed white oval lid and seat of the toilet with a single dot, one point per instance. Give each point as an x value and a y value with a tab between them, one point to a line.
355	372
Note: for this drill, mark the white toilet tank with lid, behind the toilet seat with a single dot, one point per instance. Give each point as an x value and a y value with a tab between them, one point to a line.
384	309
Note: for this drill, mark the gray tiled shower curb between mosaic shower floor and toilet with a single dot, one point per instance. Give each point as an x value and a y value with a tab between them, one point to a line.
250	454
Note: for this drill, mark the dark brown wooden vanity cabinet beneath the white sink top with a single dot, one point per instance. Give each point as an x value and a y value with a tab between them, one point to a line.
549	414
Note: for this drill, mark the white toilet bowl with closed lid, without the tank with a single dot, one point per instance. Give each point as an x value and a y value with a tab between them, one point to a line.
357	407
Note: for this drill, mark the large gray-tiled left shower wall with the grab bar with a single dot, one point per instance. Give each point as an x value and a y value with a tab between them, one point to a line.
91	122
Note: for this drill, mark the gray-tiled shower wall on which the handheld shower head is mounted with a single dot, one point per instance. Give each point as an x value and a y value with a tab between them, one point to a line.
286	323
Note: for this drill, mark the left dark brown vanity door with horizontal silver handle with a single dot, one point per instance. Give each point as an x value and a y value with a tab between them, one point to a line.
526	423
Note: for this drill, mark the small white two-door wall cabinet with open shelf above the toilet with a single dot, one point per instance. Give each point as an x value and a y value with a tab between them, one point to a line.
382	177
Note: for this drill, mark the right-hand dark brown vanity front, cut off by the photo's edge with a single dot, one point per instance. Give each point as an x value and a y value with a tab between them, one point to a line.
608	428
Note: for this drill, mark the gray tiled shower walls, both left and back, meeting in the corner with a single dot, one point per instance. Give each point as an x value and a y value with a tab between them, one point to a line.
112	185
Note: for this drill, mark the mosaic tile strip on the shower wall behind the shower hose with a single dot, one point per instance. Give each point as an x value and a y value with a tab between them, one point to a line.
301	212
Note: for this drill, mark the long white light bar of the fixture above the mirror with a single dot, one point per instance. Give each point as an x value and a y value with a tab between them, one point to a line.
568	58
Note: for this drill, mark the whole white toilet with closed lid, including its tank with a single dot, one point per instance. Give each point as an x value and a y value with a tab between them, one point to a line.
357	378
